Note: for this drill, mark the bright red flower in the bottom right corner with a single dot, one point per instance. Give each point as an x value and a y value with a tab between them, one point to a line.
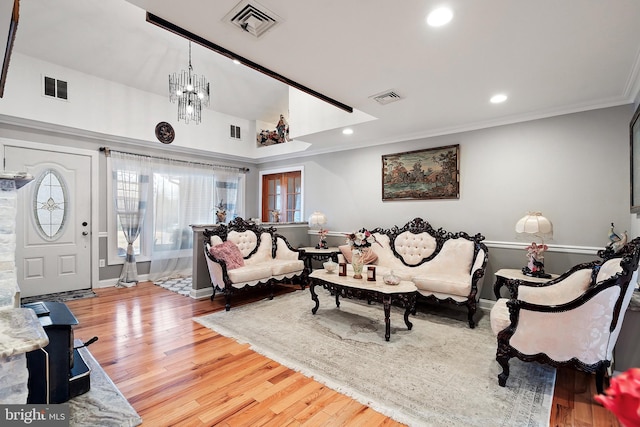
623	397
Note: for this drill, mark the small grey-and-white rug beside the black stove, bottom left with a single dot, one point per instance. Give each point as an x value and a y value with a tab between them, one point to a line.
103	405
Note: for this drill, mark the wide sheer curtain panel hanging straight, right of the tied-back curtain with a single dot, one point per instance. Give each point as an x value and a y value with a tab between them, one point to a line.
182	195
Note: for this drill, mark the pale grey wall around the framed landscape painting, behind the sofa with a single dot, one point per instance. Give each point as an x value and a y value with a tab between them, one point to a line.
573	168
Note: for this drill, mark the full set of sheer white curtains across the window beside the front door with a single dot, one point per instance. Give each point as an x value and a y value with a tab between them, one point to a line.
181	194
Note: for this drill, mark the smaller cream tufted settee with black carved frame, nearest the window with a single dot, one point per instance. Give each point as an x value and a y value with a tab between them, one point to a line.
267	256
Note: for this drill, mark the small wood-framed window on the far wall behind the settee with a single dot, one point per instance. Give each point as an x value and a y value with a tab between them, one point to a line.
282	192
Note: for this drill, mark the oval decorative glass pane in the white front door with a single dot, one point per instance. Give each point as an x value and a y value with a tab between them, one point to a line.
50	204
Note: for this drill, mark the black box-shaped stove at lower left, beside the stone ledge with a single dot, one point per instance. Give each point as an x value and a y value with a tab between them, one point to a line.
50	367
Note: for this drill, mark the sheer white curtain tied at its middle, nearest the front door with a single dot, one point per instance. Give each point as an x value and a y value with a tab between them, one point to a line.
130	176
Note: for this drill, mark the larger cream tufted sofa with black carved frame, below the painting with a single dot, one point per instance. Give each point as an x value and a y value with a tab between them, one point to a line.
444	266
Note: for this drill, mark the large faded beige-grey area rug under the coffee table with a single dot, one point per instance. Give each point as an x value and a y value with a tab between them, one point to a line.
441	373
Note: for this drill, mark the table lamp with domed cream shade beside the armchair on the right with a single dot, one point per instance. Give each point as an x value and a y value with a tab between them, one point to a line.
534	225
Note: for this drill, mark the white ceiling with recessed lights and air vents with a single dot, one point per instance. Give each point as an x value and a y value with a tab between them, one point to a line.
550	57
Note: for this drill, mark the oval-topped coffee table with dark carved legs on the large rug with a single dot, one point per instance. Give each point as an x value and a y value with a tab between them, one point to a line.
404	294
